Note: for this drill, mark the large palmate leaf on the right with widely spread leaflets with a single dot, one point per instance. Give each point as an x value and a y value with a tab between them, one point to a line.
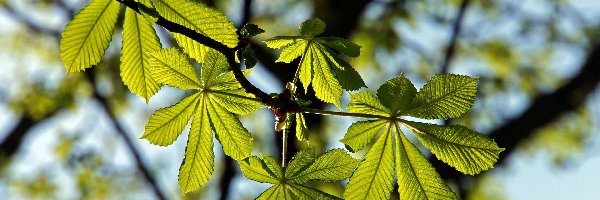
444	96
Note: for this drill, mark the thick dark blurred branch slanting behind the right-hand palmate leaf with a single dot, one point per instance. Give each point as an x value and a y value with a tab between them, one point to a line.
544	110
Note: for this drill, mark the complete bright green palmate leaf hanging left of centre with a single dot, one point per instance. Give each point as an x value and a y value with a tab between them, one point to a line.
215	100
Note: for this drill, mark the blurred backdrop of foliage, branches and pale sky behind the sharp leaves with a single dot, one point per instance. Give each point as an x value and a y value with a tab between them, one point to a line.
75	136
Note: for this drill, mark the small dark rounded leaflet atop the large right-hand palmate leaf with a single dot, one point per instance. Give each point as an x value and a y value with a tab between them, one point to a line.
397	93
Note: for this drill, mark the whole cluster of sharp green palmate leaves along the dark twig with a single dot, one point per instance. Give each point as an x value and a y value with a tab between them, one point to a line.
218	92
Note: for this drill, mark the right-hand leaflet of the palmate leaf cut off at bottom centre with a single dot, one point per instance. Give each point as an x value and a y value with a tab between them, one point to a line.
334	165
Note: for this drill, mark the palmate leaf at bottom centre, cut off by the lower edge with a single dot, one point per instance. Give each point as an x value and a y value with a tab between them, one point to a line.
304	167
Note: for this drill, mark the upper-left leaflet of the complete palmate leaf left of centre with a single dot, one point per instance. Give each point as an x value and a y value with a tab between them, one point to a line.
171	67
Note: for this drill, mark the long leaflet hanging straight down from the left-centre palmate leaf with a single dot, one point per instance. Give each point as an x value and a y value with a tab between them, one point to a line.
198	164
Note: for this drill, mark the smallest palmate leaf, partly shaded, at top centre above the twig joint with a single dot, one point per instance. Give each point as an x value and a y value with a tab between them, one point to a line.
320	65
